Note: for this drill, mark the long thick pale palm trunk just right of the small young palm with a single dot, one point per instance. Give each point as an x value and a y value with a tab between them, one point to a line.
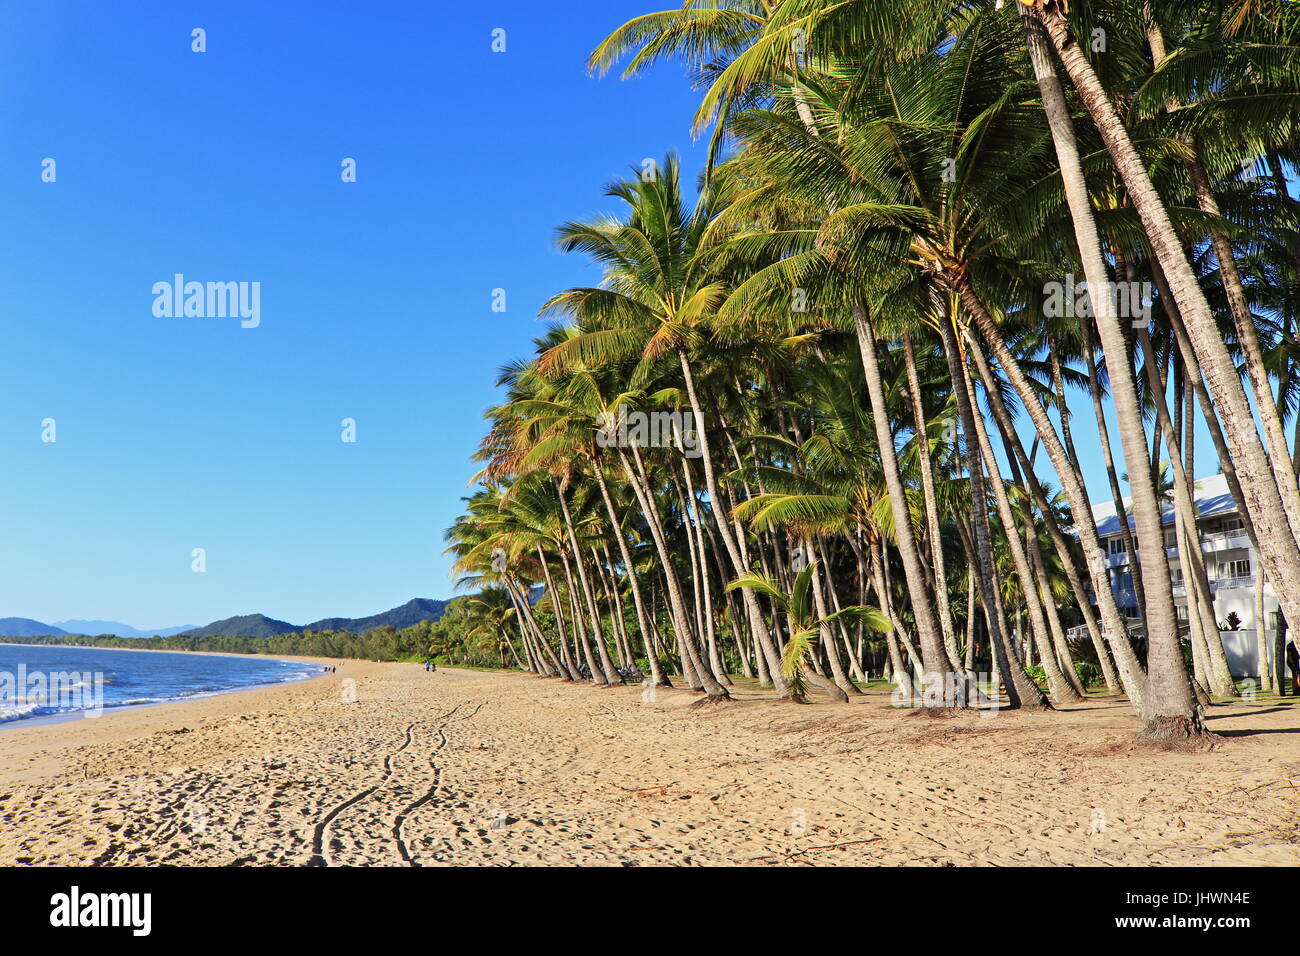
935	661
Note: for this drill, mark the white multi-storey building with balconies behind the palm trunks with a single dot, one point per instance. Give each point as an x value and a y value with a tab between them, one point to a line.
1230	564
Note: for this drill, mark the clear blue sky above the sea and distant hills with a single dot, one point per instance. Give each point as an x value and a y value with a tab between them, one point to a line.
183	434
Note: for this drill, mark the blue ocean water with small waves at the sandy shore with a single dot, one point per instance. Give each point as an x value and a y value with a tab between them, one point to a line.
50	682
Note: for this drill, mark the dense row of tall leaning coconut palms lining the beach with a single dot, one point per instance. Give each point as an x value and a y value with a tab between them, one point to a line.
798	432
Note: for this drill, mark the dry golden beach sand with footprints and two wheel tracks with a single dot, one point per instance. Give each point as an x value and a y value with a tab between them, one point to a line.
465	768
